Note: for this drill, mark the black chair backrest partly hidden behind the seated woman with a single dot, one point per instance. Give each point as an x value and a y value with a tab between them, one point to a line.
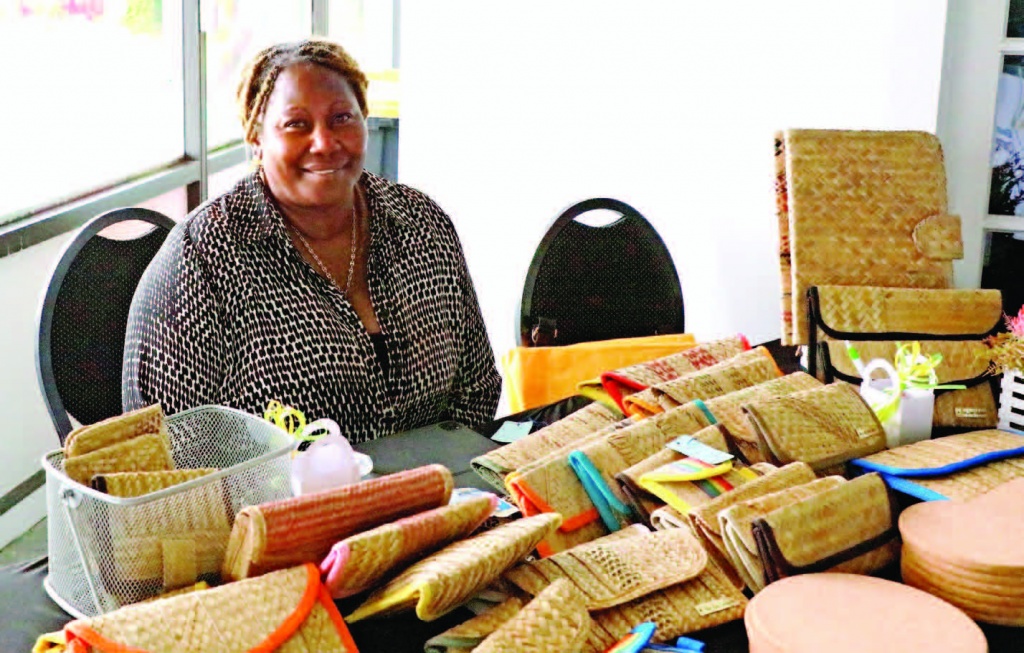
84	315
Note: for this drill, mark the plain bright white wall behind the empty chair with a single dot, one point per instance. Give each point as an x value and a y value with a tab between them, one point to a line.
514	111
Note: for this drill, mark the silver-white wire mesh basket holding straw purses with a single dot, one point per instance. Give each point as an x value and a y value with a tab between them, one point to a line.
106	552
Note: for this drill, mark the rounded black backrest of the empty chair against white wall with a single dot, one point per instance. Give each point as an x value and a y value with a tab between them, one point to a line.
599	283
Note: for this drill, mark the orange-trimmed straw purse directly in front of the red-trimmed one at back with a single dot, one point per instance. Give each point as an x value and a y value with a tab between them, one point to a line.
743	371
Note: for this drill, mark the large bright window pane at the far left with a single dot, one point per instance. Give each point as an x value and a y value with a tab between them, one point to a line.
92	97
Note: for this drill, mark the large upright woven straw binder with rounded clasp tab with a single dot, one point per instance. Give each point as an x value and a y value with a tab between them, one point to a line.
866	208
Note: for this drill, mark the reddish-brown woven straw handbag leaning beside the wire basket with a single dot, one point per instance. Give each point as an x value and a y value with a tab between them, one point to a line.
303	530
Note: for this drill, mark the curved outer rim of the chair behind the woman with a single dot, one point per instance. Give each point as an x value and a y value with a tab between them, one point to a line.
45	358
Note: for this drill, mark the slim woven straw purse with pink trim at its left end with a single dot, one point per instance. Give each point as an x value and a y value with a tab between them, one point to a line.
362	561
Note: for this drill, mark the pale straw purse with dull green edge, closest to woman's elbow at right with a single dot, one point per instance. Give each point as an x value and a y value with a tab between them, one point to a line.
496	465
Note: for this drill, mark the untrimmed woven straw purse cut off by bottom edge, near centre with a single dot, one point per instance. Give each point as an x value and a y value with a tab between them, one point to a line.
556	621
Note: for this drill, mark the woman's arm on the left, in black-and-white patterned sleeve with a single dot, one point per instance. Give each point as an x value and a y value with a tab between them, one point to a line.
174	347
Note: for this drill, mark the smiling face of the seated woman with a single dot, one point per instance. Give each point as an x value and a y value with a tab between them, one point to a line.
314	140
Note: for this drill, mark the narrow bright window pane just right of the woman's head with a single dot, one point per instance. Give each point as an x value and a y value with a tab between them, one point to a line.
366	30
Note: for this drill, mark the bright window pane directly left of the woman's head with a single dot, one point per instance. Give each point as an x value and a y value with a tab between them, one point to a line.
236	32
